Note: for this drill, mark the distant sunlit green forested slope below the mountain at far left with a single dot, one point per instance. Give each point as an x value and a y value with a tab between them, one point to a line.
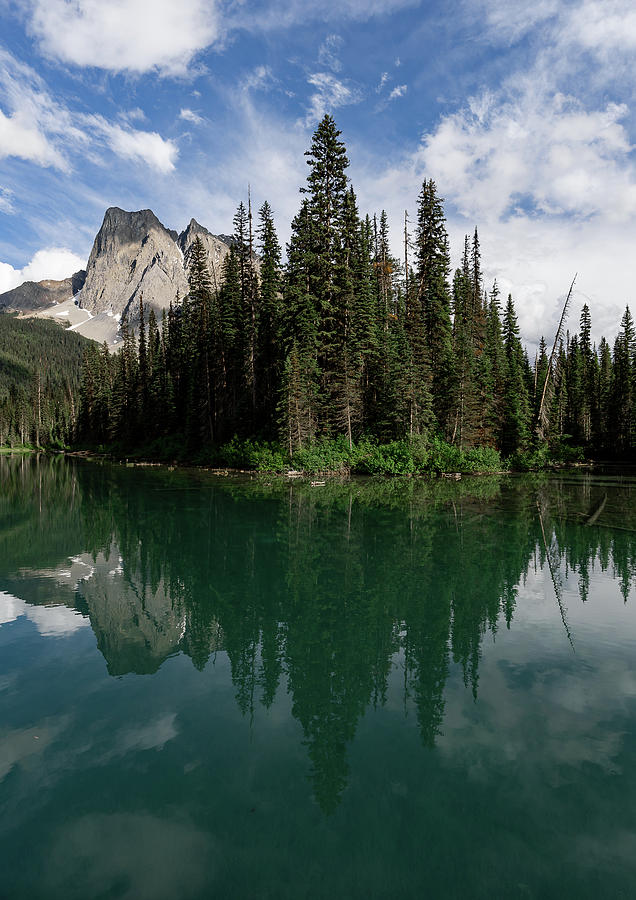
40	367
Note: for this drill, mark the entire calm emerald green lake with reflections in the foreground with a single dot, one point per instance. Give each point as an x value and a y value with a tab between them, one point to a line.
213	687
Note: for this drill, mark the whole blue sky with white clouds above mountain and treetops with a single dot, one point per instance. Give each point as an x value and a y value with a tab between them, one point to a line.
521	111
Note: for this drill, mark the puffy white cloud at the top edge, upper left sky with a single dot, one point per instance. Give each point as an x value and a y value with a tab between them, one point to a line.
126	35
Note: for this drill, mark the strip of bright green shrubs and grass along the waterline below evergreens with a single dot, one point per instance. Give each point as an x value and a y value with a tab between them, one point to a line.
411	456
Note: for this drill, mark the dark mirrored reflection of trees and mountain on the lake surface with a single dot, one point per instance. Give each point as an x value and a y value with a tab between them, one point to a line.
322	590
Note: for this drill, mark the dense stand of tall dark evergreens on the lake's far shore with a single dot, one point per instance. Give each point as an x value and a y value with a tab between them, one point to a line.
344	348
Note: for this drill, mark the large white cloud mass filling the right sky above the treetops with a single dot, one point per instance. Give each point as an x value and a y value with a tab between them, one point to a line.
543	165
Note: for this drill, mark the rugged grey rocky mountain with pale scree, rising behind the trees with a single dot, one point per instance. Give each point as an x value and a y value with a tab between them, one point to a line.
133	254
